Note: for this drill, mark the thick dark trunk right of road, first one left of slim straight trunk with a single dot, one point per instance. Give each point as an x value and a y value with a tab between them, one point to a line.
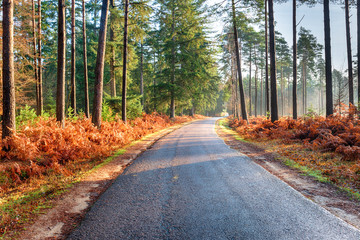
274	104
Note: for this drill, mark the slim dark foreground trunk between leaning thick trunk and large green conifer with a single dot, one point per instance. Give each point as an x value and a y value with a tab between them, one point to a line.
125	61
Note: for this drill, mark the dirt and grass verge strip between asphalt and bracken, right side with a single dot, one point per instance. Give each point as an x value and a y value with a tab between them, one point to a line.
308	182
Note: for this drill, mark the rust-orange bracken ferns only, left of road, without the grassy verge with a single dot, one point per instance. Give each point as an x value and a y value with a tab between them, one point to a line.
39	148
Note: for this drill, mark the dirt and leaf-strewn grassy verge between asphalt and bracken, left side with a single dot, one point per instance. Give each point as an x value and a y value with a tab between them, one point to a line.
51	212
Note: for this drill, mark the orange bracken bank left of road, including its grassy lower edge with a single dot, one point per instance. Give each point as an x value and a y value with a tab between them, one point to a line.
43	160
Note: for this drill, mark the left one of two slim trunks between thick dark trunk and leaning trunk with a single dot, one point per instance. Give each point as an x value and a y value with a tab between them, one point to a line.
73	59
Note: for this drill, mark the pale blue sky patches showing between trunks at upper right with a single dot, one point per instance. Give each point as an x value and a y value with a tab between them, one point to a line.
313	21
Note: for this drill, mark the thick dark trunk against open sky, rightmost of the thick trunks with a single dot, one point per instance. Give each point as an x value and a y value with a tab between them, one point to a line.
328	70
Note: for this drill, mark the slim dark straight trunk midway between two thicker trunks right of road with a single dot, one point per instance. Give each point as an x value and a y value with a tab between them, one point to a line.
294	63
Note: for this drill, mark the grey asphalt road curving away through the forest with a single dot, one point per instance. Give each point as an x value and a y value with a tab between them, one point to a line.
190	185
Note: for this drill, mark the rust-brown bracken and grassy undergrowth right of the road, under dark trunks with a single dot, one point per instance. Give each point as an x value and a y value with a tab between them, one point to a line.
325	148
